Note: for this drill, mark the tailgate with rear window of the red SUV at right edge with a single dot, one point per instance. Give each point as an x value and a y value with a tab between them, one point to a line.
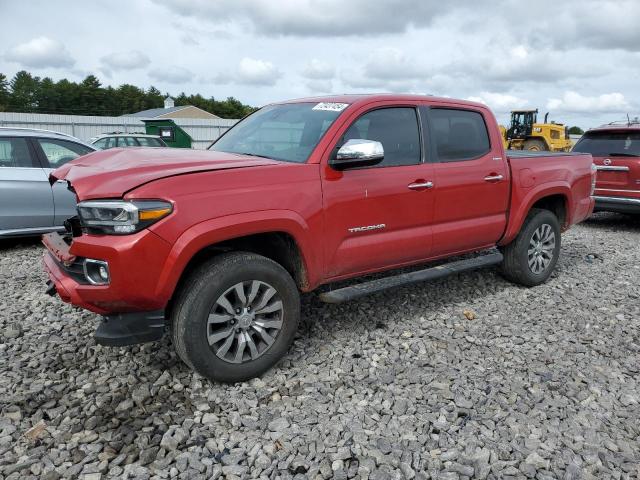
616	154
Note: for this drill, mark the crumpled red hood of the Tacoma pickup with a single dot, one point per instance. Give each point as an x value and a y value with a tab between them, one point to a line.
112	173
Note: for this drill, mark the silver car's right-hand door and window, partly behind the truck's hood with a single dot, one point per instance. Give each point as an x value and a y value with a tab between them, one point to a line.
55	153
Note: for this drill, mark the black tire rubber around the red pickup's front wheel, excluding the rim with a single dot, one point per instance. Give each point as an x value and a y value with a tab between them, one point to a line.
200	301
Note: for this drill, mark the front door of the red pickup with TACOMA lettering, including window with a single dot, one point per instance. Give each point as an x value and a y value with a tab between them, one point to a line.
379	216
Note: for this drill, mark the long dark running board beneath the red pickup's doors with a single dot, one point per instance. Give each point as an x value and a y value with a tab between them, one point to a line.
360	290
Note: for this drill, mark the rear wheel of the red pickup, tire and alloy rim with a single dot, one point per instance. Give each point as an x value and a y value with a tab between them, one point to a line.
516	267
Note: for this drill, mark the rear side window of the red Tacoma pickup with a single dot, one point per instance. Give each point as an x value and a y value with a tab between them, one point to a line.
458	134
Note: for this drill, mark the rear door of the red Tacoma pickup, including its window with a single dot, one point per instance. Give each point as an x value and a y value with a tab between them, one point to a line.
471	181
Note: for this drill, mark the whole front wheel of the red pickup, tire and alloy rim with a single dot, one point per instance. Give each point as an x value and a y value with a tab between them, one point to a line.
201	315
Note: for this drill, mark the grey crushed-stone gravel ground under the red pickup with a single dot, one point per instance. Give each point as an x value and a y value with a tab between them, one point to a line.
468	377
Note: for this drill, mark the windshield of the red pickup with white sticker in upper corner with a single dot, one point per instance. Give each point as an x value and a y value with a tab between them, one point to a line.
286	132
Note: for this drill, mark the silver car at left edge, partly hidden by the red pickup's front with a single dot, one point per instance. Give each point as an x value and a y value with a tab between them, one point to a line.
29	204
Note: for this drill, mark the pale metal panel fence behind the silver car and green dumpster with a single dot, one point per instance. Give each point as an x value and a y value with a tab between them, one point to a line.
202	131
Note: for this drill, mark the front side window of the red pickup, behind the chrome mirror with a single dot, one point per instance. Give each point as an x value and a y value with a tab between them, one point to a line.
396	128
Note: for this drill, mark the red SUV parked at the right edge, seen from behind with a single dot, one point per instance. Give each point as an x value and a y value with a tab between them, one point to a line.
616	152
